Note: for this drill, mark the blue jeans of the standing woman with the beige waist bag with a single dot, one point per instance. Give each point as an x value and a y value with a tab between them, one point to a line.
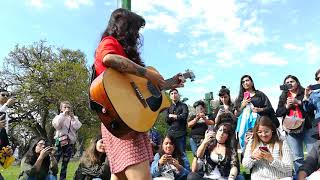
296	142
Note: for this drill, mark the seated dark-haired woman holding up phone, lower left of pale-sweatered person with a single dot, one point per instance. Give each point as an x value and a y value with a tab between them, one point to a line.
39	162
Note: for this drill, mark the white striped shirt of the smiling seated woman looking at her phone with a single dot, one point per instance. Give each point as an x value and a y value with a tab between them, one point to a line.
264	170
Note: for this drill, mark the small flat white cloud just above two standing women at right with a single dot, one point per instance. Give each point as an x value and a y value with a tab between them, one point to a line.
267	58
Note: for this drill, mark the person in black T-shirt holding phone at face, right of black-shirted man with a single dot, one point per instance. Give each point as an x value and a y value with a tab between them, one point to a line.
199	124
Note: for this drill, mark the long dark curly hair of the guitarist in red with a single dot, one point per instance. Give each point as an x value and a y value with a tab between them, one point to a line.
124	26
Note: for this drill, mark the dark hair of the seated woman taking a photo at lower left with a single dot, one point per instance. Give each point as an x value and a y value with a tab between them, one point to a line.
31	156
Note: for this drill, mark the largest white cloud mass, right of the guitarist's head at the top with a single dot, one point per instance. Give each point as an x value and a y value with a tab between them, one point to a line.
224	21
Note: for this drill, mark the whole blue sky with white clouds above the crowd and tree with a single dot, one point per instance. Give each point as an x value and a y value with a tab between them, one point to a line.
219	40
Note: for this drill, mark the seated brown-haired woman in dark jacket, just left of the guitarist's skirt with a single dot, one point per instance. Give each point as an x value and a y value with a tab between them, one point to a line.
94	163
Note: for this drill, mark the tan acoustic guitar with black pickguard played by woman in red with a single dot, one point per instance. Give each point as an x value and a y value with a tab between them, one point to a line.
126	103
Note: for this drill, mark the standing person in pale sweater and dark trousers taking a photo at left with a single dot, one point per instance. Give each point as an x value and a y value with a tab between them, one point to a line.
66	124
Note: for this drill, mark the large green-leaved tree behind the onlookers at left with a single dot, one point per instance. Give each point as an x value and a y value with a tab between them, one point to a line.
40	77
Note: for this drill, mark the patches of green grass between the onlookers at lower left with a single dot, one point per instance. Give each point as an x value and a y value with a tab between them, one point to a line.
13	172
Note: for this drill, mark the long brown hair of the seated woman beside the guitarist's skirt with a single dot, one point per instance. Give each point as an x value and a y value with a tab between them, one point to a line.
91	156
